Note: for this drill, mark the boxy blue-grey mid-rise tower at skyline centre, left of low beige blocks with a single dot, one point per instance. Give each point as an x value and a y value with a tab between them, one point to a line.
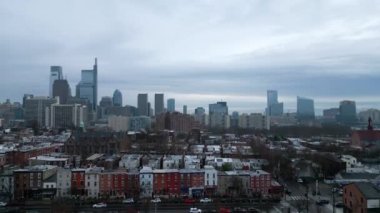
218	115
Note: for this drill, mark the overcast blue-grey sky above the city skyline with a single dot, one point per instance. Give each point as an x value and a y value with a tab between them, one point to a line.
197	51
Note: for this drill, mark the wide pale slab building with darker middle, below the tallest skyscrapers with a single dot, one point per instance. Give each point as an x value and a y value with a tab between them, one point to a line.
67	115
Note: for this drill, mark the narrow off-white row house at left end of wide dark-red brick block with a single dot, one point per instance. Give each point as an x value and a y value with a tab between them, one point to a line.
92	181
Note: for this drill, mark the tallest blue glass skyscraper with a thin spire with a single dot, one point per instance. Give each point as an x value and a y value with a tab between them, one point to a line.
87	88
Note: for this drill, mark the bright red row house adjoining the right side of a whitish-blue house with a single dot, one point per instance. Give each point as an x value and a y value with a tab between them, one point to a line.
166	182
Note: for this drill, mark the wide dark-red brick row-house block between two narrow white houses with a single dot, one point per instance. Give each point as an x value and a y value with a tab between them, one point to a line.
119	184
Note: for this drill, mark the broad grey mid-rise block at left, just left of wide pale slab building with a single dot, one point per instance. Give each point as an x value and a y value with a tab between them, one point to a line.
35	110
